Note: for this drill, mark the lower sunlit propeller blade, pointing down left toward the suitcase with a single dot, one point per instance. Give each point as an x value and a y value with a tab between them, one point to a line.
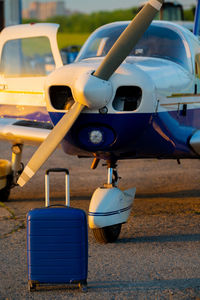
51	142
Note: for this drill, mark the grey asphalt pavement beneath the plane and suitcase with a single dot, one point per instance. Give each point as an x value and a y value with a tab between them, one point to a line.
157	255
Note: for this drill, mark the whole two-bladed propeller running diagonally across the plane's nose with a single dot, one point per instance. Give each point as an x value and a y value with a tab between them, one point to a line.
120	50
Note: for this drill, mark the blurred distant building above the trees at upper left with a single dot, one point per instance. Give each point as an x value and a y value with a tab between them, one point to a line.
43	10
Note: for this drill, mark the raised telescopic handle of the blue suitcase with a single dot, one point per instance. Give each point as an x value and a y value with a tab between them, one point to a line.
67	194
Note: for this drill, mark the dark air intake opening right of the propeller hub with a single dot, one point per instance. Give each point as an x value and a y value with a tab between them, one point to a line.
127	98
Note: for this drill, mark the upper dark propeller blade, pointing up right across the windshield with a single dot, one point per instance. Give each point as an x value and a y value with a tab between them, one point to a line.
128	39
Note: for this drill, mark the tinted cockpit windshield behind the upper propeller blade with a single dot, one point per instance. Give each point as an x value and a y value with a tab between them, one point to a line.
157	41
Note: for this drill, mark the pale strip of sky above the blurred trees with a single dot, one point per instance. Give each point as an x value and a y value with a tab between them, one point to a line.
88	6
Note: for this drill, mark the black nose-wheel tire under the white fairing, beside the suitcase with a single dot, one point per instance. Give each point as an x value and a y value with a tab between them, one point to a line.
107	234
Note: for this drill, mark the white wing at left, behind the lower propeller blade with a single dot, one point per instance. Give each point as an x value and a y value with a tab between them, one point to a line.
24	131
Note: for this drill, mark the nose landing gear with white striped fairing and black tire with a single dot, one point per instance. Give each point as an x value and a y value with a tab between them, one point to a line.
109	208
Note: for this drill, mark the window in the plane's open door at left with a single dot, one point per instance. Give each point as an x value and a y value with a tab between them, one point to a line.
27	57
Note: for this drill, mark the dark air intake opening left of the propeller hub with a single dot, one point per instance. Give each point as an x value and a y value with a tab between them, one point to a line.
61	97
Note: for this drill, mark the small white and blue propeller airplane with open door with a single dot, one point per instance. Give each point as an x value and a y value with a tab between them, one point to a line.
133	92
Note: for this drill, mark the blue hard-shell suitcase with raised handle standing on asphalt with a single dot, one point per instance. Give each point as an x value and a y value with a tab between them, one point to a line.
57	243
